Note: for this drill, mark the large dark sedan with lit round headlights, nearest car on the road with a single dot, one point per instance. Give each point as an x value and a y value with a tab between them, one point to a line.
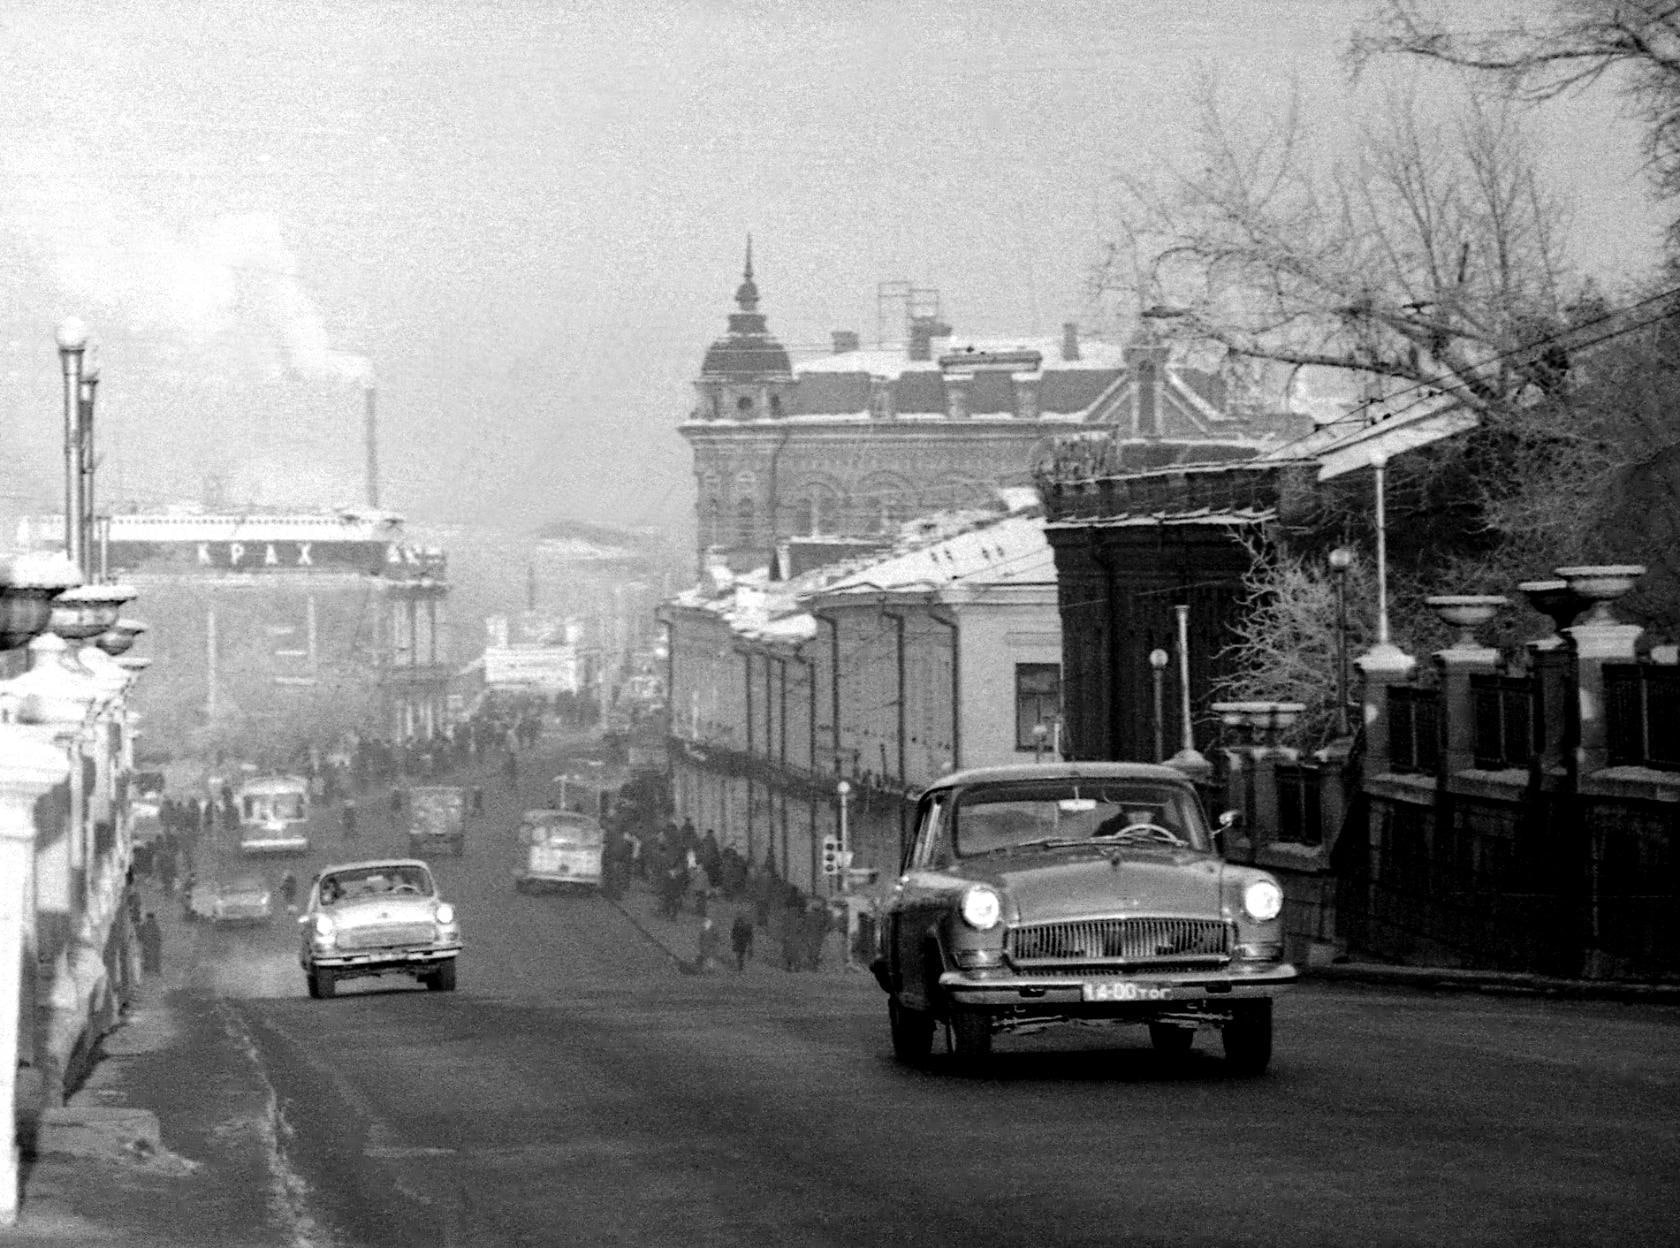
1076	893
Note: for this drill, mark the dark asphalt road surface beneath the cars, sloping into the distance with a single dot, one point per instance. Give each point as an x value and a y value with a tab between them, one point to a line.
577	1089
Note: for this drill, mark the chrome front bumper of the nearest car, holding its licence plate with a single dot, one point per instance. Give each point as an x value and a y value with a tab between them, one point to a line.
1101	995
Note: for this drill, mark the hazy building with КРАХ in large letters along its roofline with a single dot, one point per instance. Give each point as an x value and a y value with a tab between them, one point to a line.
270	631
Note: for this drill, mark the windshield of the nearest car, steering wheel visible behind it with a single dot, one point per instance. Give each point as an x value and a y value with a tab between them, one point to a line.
1000	817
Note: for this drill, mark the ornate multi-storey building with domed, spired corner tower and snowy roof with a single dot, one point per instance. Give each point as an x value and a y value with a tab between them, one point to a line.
846	448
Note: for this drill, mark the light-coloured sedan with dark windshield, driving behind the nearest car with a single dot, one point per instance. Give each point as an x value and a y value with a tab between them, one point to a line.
379	918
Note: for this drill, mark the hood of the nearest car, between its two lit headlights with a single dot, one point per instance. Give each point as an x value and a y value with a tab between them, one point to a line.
1044	886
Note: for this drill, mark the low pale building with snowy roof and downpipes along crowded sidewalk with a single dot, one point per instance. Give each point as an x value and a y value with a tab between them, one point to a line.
885	673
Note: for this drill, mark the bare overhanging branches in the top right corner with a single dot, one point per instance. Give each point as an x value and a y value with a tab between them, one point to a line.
1634	45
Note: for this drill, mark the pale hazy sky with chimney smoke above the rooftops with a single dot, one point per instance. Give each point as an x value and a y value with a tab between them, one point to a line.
527	219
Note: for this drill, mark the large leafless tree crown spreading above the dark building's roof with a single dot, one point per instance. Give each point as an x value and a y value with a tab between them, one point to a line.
1427	261
